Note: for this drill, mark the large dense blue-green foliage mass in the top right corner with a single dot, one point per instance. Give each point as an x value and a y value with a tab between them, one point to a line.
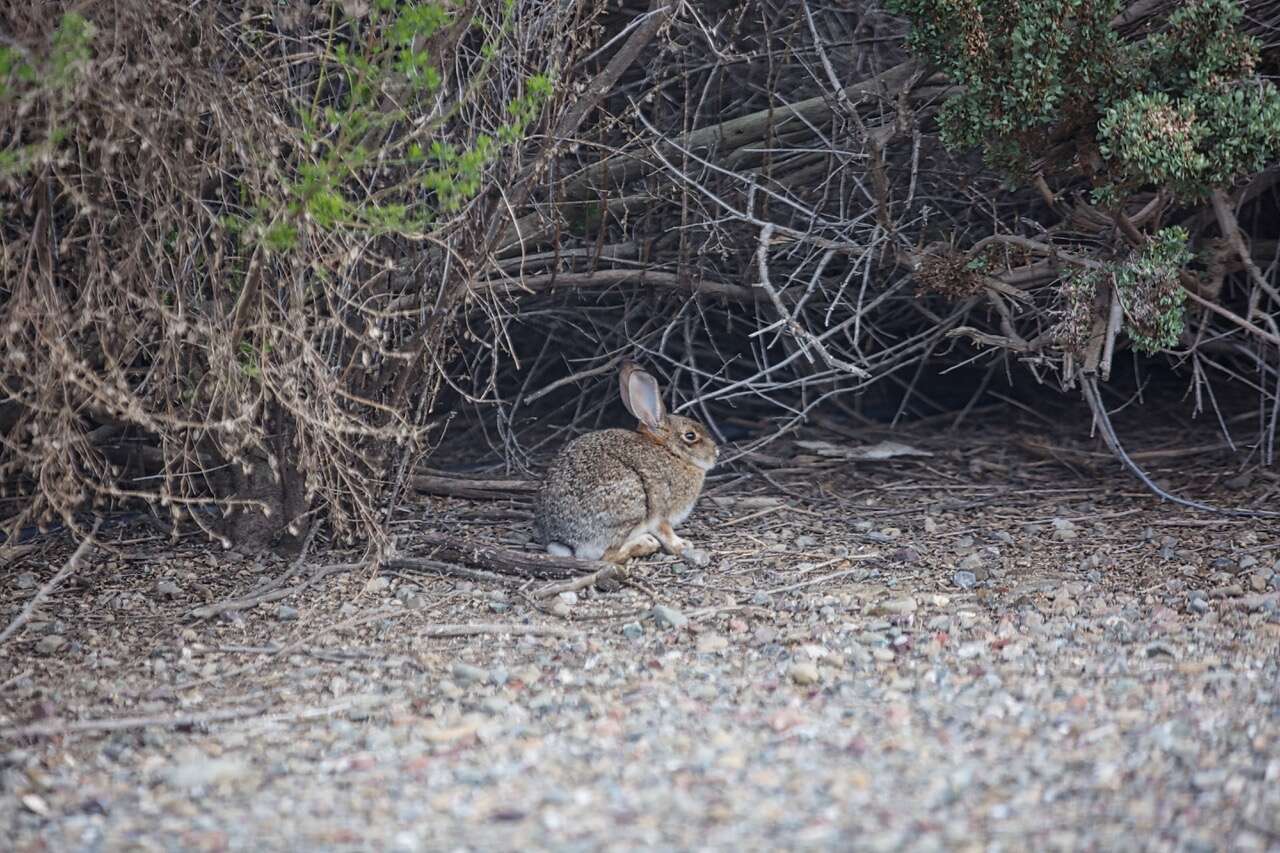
1181	110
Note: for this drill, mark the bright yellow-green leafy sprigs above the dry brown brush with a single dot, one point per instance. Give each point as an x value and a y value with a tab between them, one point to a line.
377	120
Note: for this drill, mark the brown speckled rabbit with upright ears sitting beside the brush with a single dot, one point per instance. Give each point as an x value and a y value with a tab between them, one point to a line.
618	494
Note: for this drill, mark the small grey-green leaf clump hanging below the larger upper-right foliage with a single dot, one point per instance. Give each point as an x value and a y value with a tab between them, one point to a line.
1151	294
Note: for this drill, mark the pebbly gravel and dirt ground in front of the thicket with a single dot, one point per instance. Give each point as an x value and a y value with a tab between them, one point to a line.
1002	645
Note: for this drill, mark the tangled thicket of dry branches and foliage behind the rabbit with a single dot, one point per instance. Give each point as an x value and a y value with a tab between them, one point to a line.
255	257
